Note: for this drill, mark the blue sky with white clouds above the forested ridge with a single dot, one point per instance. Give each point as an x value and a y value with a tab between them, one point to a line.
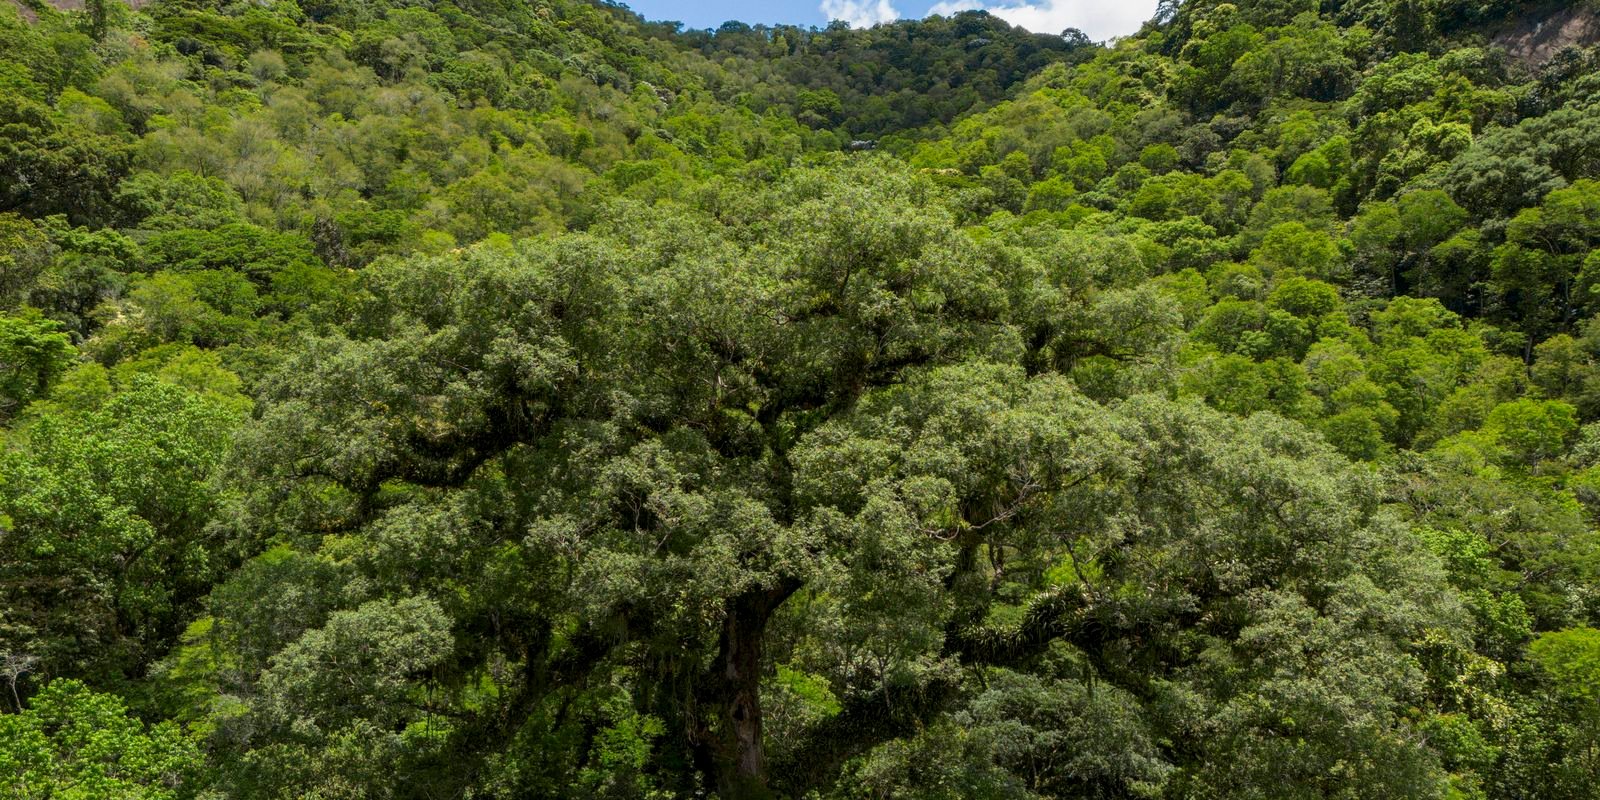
1098	18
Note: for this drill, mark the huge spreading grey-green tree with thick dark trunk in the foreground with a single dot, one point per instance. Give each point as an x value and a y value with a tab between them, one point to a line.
617	495
